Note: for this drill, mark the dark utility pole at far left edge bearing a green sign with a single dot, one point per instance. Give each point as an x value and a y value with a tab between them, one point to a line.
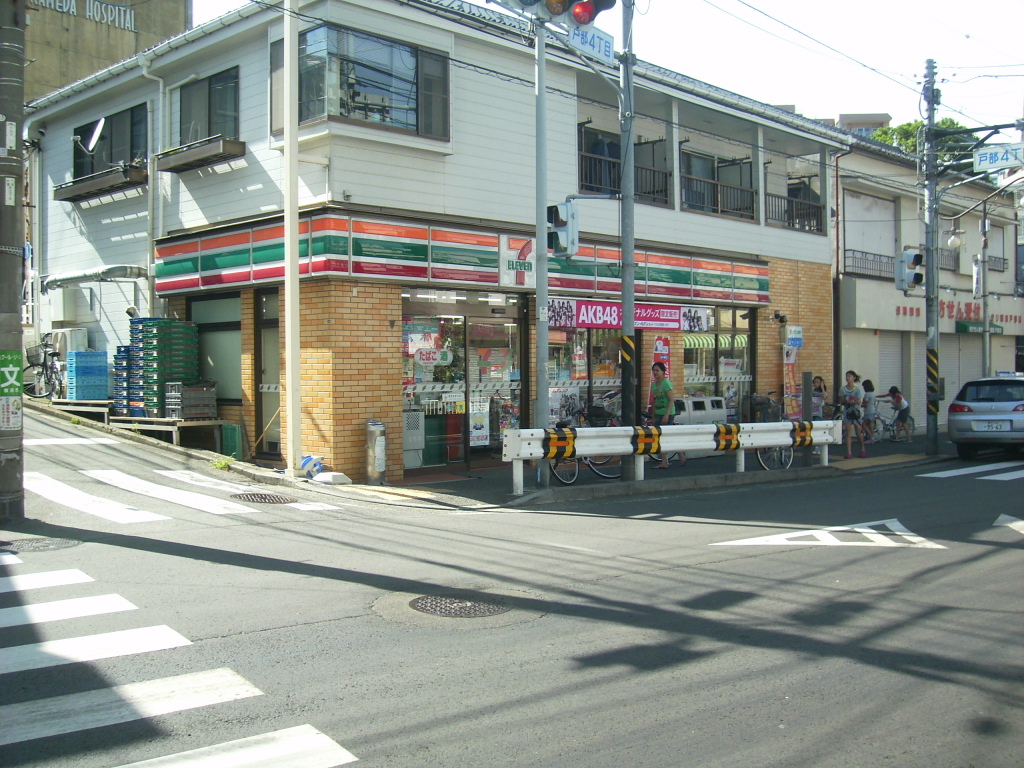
13	23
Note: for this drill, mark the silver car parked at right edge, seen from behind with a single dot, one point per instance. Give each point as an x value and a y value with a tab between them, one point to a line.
988	413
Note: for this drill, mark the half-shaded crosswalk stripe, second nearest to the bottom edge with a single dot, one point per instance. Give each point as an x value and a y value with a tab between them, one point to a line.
121	704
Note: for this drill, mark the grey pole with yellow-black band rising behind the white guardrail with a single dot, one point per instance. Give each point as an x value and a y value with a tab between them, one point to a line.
628	228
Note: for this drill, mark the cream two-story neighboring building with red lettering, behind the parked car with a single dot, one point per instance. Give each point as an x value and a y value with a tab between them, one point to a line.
881	332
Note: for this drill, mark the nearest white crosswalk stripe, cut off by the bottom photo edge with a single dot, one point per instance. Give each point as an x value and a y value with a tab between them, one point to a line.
304	747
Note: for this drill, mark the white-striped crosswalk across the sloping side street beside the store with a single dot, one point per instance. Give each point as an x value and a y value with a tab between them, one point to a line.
104	507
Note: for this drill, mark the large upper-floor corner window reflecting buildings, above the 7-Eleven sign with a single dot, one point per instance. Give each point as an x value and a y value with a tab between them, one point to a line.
362	77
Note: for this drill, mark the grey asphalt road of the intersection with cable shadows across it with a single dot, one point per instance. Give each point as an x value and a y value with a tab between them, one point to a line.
858	621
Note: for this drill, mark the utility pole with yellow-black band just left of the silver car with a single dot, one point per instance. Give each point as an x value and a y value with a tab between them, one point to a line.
931	97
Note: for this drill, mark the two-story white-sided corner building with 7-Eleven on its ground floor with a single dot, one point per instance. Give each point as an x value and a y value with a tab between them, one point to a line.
417	208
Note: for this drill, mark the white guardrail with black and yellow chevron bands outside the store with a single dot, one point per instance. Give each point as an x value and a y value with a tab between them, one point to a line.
521	446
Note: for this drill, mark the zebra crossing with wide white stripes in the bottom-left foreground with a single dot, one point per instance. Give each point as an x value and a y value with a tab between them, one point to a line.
302	747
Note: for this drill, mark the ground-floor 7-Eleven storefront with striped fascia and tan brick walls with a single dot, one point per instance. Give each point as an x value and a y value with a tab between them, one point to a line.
429	329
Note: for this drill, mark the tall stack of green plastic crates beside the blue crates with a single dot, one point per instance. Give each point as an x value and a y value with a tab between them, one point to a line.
162	352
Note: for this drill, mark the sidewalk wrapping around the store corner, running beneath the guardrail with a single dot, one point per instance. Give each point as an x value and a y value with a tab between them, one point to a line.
492	488
